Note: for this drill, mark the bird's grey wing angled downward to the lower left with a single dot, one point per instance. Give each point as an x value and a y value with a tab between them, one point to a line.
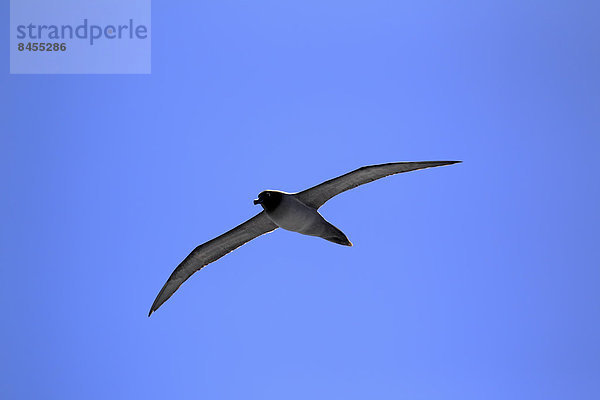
212	251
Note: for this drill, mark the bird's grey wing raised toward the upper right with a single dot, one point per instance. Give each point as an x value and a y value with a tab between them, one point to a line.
316	196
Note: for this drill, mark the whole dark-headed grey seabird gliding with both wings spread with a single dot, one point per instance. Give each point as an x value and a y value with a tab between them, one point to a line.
295	212
